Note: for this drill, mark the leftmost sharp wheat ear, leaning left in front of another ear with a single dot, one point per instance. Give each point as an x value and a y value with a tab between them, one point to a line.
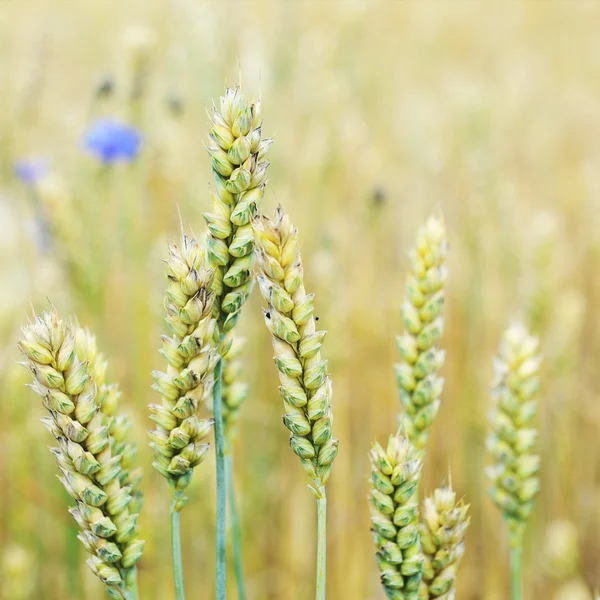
90	471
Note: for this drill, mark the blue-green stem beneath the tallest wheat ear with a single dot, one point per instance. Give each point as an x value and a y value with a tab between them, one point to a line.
221	486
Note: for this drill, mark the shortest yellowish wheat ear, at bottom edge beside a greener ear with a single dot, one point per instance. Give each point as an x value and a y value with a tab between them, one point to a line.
444	523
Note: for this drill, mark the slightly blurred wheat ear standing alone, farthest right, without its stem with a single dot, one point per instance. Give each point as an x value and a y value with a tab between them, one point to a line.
511	440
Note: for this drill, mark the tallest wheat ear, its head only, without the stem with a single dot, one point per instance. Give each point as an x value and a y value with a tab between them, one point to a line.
237	151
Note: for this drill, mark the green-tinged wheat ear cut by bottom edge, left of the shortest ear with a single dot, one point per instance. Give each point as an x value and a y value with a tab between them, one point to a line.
394	517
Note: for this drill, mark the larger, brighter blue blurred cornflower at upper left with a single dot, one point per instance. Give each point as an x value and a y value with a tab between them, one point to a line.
111	141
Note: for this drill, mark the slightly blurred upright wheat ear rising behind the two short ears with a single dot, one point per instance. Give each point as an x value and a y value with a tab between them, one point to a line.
417	374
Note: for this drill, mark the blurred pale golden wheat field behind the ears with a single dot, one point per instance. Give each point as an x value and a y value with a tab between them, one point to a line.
382	112
